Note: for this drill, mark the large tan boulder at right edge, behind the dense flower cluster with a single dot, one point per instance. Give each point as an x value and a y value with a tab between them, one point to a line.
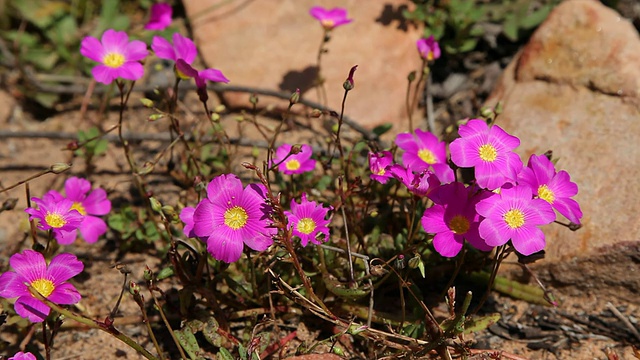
575	89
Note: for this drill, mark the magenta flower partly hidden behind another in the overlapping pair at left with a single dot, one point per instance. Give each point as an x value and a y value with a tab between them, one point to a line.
89	204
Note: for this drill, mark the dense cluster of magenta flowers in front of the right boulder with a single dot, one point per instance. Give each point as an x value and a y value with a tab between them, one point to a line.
507	202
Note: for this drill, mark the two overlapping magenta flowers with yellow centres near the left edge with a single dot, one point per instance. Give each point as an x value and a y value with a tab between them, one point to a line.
78	210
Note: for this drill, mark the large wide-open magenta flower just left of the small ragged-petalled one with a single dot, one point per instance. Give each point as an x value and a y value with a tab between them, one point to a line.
231	216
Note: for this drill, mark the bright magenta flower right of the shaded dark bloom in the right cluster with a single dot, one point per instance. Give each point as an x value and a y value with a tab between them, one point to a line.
514	215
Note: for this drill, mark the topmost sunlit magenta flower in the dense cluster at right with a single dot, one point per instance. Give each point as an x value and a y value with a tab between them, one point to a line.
489	150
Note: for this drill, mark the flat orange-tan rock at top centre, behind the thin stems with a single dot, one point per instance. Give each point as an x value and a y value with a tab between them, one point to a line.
274	46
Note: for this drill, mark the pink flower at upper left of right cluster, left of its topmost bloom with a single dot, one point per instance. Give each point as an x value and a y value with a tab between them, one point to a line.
424	151
